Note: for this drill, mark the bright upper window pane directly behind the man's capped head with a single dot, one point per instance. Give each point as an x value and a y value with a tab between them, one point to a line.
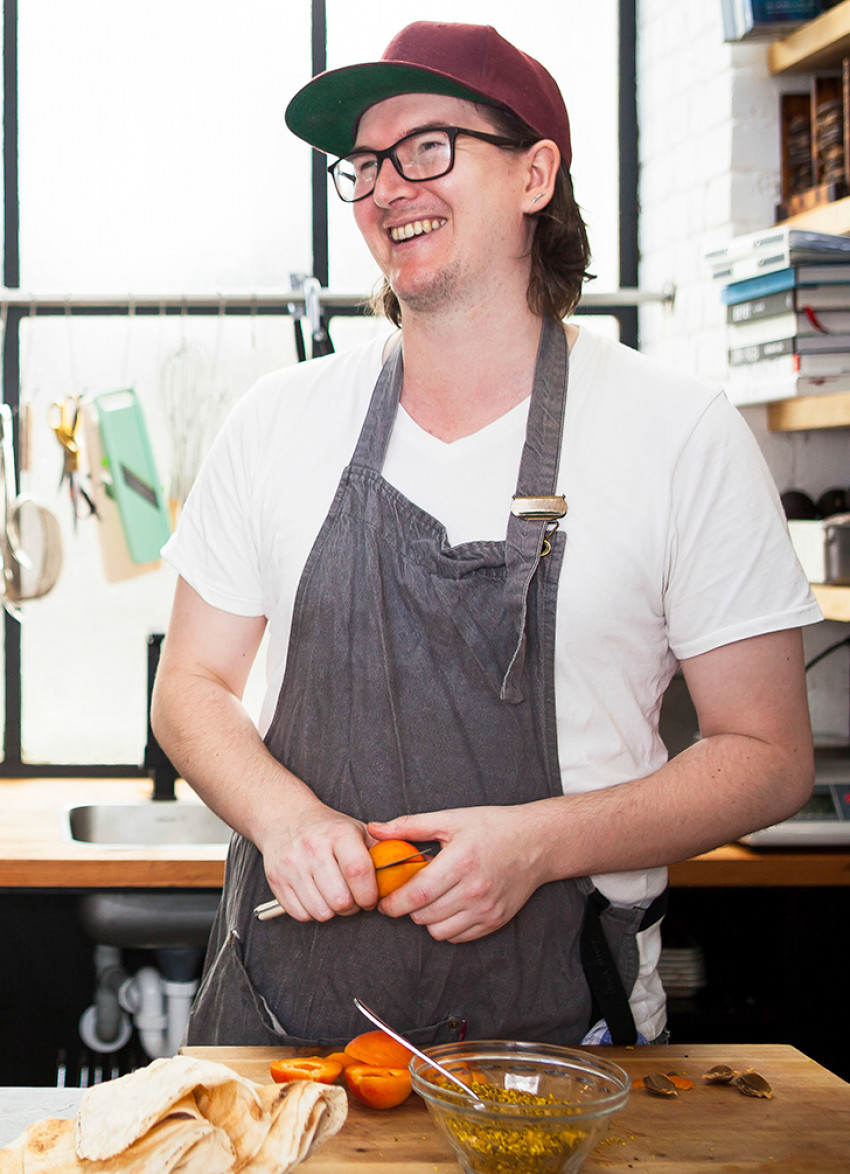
559	37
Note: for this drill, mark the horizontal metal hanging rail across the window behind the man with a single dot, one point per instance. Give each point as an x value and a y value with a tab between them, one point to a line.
288	302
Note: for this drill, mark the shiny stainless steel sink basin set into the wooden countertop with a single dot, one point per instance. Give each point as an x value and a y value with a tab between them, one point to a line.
146	825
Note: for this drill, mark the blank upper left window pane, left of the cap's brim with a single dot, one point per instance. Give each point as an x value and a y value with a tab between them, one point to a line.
153	150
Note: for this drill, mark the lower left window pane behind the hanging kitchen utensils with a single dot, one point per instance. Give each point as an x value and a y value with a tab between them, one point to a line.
84	646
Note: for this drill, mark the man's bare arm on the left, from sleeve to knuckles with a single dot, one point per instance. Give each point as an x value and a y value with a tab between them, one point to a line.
316	860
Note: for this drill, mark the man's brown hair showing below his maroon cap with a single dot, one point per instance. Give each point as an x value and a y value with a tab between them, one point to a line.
561	252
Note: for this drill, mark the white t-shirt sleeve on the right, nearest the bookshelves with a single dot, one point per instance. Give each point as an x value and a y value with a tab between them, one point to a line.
732	571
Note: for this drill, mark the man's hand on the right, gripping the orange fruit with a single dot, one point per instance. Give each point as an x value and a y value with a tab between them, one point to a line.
487	871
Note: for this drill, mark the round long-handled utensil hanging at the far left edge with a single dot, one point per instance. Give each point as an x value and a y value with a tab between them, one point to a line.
30	539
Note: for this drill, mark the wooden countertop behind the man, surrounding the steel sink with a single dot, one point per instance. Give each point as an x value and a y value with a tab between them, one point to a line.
36	854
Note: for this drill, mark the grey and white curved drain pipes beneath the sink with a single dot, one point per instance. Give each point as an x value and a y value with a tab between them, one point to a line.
157	1007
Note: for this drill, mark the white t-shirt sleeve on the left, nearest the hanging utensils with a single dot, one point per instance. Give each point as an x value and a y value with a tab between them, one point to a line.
214	548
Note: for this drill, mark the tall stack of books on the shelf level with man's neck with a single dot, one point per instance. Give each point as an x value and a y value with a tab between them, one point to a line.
787	294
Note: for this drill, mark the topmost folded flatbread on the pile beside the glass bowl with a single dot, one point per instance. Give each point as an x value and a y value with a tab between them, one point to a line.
112	1116
